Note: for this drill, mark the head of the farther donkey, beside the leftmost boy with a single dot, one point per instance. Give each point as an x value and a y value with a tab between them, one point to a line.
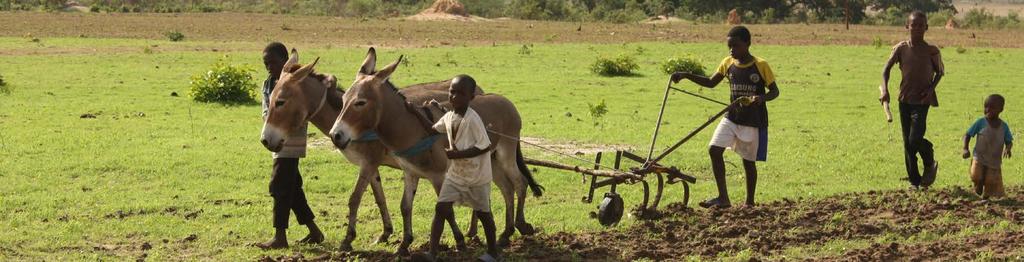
292	103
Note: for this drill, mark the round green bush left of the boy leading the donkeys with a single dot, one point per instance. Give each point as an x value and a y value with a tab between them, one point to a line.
225	84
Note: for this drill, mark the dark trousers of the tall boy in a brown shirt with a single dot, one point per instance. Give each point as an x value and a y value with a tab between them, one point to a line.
914	119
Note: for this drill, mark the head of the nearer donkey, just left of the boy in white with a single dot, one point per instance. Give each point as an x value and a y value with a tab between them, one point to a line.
364	103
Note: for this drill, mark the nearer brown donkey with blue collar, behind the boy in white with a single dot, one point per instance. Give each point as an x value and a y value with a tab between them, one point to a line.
373	106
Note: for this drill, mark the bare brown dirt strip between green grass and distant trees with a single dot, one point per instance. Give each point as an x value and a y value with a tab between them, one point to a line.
325	31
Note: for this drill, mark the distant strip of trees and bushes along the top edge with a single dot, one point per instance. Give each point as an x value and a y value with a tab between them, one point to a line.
751	12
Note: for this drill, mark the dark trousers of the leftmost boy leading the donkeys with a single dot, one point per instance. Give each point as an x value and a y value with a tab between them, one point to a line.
286	188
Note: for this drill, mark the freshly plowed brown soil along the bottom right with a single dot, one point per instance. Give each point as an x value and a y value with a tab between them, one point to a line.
950	225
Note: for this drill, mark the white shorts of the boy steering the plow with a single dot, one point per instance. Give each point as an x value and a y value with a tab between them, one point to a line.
750	143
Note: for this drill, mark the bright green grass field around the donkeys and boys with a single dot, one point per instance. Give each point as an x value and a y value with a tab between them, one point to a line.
154	169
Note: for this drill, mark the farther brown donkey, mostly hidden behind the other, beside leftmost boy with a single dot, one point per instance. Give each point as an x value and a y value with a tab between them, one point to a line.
300	100
